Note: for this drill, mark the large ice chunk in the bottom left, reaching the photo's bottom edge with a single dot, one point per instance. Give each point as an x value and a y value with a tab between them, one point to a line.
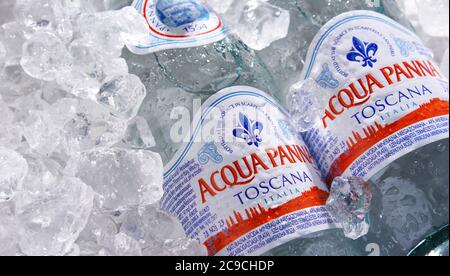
53	221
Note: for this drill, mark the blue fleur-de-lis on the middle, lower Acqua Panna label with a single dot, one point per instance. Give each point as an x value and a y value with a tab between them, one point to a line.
248	130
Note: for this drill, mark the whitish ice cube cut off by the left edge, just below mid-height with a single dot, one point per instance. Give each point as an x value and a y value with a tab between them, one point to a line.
13	170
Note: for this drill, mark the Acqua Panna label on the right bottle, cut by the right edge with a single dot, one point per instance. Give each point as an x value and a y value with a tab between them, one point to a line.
383	96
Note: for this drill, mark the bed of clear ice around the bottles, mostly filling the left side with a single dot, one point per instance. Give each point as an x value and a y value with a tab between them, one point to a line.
77	174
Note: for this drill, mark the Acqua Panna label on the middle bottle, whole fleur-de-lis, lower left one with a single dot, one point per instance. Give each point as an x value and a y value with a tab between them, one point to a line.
245	182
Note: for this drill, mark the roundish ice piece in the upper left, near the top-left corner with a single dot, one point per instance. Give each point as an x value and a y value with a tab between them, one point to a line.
45	56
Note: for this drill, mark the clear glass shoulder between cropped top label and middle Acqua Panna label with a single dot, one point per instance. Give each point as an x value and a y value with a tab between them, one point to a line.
179	79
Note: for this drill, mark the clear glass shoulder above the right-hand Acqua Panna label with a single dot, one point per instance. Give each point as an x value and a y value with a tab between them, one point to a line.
286	58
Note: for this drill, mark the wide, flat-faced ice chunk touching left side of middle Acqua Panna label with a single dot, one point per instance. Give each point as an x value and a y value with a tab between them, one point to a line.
120	177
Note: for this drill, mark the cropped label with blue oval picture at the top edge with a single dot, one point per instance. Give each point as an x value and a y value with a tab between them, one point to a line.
177	24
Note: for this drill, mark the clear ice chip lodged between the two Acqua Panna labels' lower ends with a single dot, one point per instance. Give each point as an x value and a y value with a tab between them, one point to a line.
349	203
